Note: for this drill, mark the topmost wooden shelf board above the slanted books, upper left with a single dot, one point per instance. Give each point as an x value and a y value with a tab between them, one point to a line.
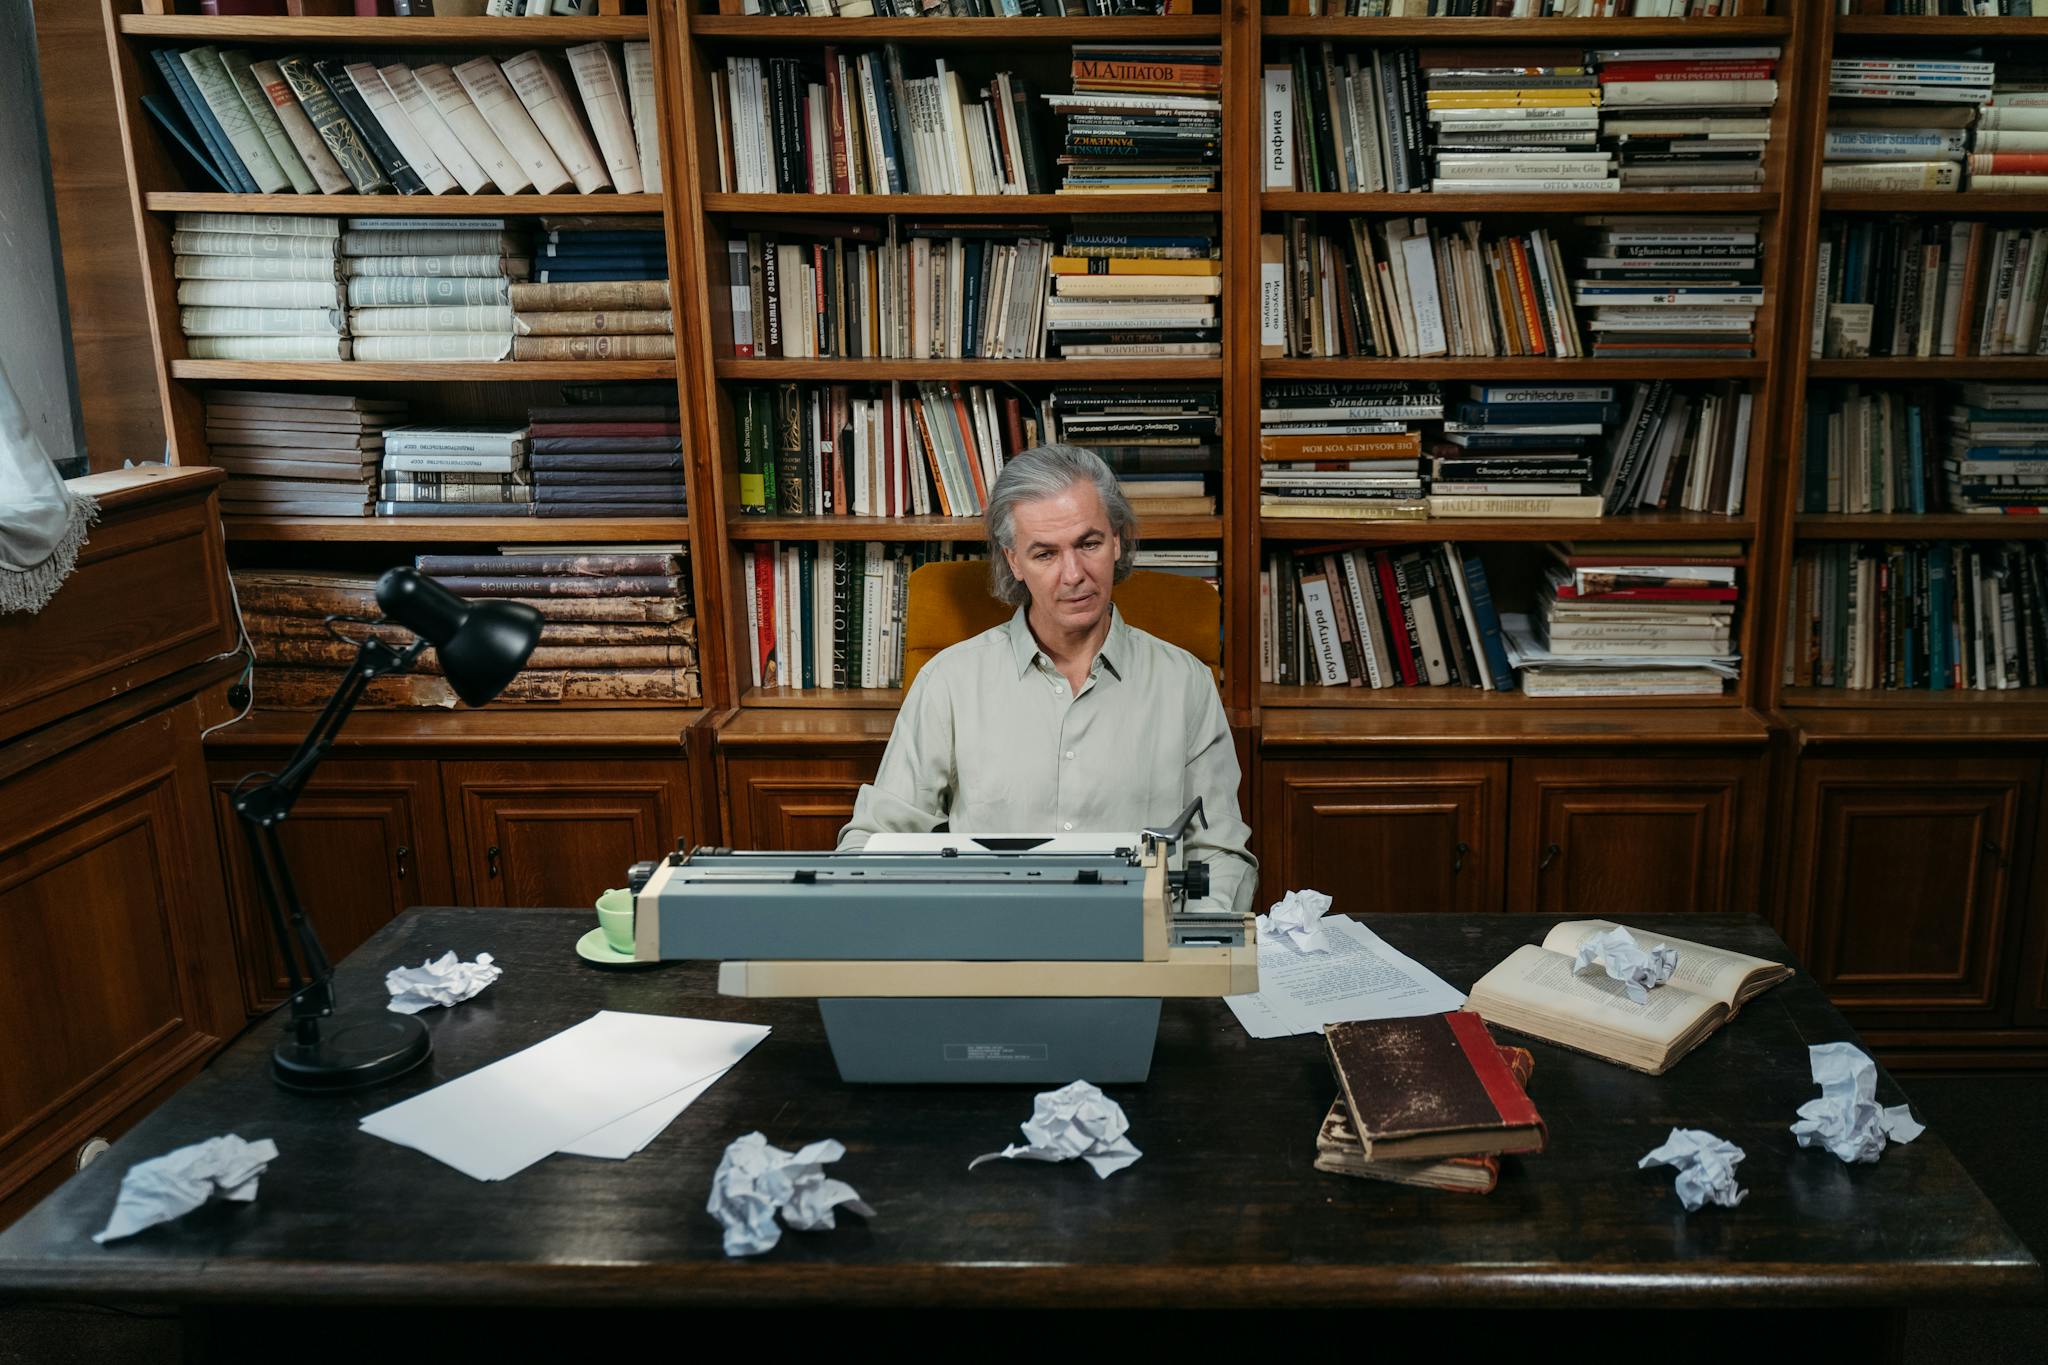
470	34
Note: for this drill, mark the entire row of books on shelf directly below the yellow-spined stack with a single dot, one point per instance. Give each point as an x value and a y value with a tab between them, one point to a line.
1658	288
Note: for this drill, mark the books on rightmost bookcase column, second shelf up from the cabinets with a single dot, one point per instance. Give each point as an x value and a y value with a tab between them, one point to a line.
1975	447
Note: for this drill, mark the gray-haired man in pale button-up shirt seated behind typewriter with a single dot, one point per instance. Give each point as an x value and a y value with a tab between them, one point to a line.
1066	717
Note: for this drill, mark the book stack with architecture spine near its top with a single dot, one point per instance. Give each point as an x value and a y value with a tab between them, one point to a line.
1521	451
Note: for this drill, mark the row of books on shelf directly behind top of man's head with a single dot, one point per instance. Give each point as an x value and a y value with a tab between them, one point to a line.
937	447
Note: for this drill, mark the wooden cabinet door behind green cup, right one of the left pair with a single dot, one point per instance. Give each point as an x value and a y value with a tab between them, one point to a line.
560	832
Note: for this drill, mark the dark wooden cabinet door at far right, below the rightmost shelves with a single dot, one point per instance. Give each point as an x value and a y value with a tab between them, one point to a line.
1904	881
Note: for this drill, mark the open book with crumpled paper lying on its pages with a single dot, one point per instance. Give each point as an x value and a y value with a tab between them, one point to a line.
1537	994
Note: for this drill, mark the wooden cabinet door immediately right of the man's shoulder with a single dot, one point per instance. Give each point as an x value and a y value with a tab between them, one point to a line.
1398	836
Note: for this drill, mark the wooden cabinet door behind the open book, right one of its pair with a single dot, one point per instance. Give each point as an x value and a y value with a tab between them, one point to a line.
1621	838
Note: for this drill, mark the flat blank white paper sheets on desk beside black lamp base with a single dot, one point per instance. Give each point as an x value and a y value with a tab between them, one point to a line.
503	1118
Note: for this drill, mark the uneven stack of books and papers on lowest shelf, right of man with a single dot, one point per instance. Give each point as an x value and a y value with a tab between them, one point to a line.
1631	619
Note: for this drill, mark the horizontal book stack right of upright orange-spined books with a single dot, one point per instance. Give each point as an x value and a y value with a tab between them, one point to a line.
1674	288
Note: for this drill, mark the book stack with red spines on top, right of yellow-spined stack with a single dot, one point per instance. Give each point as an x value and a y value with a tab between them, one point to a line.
1689	118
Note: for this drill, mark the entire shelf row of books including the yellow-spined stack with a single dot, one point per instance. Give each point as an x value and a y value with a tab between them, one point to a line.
1519	120
